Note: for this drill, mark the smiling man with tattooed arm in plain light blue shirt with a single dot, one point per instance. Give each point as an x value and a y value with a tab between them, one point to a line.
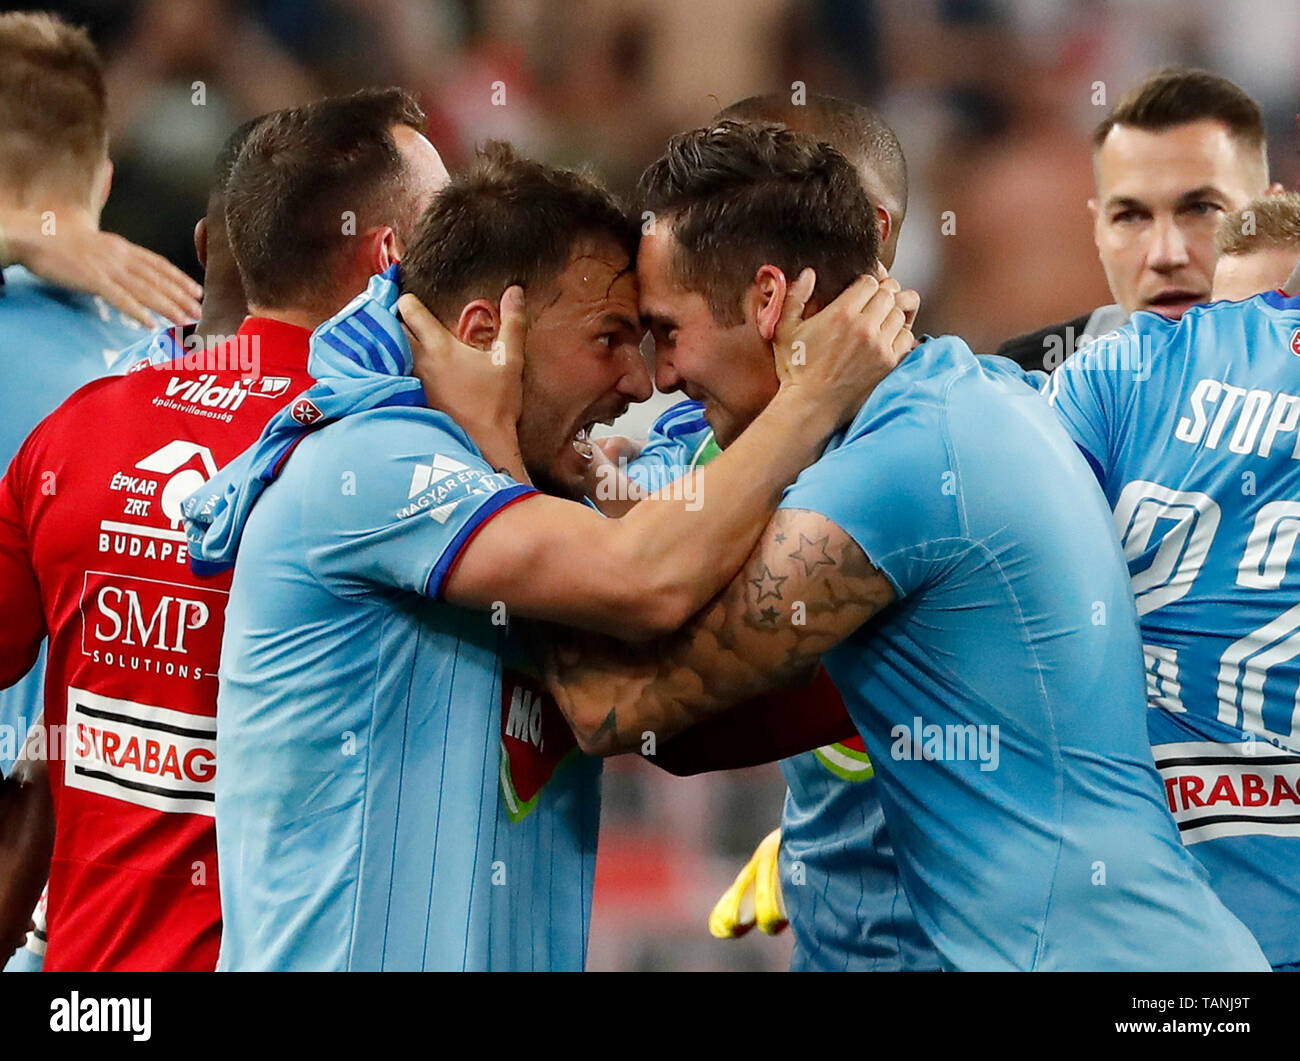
977	621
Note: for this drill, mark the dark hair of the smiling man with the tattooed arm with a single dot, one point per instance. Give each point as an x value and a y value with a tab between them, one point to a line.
742	196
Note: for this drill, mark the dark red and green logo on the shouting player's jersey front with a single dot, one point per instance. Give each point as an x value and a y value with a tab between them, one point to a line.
534	744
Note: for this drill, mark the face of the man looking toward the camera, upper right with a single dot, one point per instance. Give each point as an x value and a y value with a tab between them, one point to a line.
1160	200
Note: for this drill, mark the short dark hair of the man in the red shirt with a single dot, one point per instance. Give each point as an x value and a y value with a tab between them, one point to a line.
297	175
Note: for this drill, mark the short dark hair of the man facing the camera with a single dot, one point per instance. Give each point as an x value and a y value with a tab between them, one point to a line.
1177	96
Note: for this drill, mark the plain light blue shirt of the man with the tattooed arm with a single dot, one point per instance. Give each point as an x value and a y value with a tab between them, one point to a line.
1000	695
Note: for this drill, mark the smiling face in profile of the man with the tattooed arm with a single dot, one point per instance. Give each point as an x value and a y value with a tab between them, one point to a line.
729	369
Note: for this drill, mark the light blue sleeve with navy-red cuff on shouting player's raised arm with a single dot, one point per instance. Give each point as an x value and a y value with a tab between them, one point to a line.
395	499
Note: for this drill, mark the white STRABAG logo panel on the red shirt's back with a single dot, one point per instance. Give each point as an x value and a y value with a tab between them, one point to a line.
145	755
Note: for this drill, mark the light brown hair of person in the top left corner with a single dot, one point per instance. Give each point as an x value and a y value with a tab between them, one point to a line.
54	107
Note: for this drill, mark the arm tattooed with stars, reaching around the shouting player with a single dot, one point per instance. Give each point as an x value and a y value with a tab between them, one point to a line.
805	588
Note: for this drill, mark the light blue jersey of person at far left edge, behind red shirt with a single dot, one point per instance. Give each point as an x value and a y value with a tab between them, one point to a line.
53	343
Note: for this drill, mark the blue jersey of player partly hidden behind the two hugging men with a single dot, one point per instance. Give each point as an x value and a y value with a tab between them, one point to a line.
839	876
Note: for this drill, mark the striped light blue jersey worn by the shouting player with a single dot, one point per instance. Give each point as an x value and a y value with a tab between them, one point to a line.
366	746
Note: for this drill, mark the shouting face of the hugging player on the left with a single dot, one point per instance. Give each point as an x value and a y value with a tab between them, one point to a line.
584	363
